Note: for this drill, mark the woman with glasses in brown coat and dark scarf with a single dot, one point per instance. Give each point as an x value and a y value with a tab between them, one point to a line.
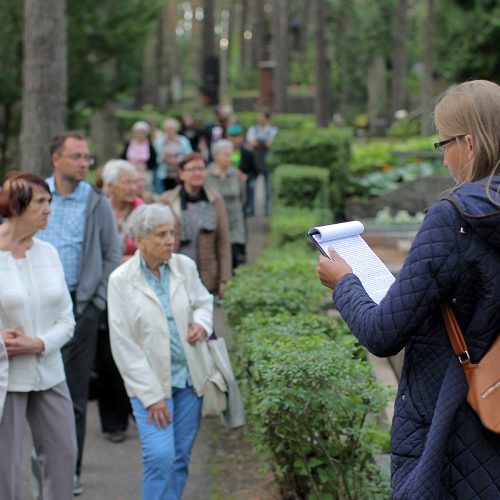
202	227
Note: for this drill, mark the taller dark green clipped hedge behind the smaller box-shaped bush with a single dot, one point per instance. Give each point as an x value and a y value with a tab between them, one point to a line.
329	148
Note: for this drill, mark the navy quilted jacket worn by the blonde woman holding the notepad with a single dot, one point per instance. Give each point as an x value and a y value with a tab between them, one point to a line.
440	450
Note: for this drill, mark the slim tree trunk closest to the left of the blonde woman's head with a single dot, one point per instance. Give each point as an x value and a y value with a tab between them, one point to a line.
426	126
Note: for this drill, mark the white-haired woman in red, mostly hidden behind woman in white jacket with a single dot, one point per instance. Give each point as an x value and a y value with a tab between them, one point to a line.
120	184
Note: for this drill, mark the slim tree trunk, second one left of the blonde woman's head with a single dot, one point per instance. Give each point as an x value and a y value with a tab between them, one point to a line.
399	62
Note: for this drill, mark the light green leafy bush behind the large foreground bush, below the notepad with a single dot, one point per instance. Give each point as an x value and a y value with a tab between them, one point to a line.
282	280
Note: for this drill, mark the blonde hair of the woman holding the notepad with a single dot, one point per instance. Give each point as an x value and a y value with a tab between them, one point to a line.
474	108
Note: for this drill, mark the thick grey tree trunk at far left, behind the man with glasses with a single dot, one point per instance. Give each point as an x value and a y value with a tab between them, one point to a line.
45	87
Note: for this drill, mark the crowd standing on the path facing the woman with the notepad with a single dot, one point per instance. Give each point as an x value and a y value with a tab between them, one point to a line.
65	334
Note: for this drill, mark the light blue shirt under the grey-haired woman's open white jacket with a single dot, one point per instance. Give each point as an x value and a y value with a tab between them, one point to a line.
179	370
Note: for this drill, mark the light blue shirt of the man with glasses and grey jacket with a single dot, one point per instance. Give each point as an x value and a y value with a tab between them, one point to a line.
66	228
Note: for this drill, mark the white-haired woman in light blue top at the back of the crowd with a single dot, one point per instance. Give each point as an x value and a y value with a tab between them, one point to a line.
170	148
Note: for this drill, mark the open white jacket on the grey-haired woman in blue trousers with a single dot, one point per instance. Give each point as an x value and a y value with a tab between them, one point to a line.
139	332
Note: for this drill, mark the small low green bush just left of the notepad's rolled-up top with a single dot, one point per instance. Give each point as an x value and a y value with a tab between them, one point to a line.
290	225
